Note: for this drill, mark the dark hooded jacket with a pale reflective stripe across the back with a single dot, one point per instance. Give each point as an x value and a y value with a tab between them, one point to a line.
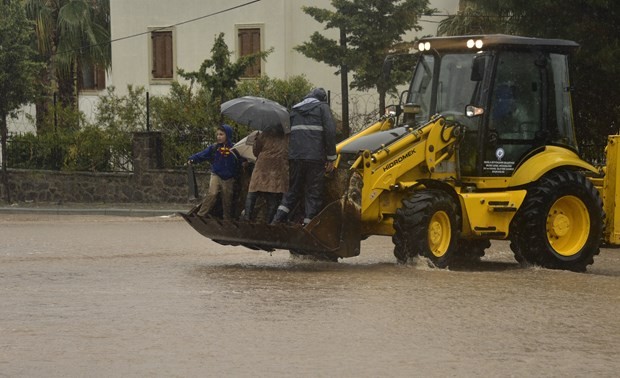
313	130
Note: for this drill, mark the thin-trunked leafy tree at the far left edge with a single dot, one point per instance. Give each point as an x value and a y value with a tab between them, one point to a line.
17	70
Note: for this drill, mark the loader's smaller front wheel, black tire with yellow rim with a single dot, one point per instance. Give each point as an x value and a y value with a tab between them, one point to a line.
427	225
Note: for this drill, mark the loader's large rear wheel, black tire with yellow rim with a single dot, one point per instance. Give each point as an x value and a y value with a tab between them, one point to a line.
560	224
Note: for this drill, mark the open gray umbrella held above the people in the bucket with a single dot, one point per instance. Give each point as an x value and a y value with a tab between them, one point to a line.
257	113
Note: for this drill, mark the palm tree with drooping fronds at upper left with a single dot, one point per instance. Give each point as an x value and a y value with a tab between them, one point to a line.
70	34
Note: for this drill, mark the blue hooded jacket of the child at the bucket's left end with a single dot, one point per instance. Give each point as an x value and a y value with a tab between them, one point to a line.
224	160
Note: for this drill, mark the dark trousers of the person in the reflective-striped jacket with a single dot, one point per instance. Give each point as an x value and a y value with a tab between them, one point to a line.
307	178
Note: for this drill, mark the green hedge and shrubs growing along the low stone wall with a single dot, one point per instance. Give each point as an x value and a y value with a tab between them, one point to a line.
185	117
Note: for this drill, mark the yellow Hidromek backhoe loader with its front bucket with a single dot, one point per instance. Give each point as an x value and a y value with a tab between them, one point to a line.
482	148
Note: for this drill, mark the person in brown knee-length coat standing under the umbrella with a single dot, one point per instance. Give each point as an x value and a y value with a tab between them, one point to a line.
270	176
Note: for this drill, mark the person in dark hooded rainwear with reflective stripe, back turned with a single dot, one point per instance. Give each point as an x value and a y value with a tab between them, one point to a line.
312	153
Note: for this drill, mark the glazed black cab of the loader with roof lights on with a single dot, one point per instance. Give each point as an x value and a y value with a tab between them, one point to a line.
511	93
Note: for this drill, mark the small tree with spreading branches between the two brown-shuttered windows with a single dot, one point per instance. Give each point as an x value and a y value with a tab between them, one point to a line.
218	75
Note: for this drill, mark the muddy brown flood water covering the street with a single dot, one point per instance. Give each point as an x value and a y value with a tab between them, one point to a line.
107	296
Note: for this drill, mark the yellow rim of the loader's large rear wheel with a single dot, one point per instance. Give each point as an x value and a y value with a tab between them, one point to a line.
568	225
